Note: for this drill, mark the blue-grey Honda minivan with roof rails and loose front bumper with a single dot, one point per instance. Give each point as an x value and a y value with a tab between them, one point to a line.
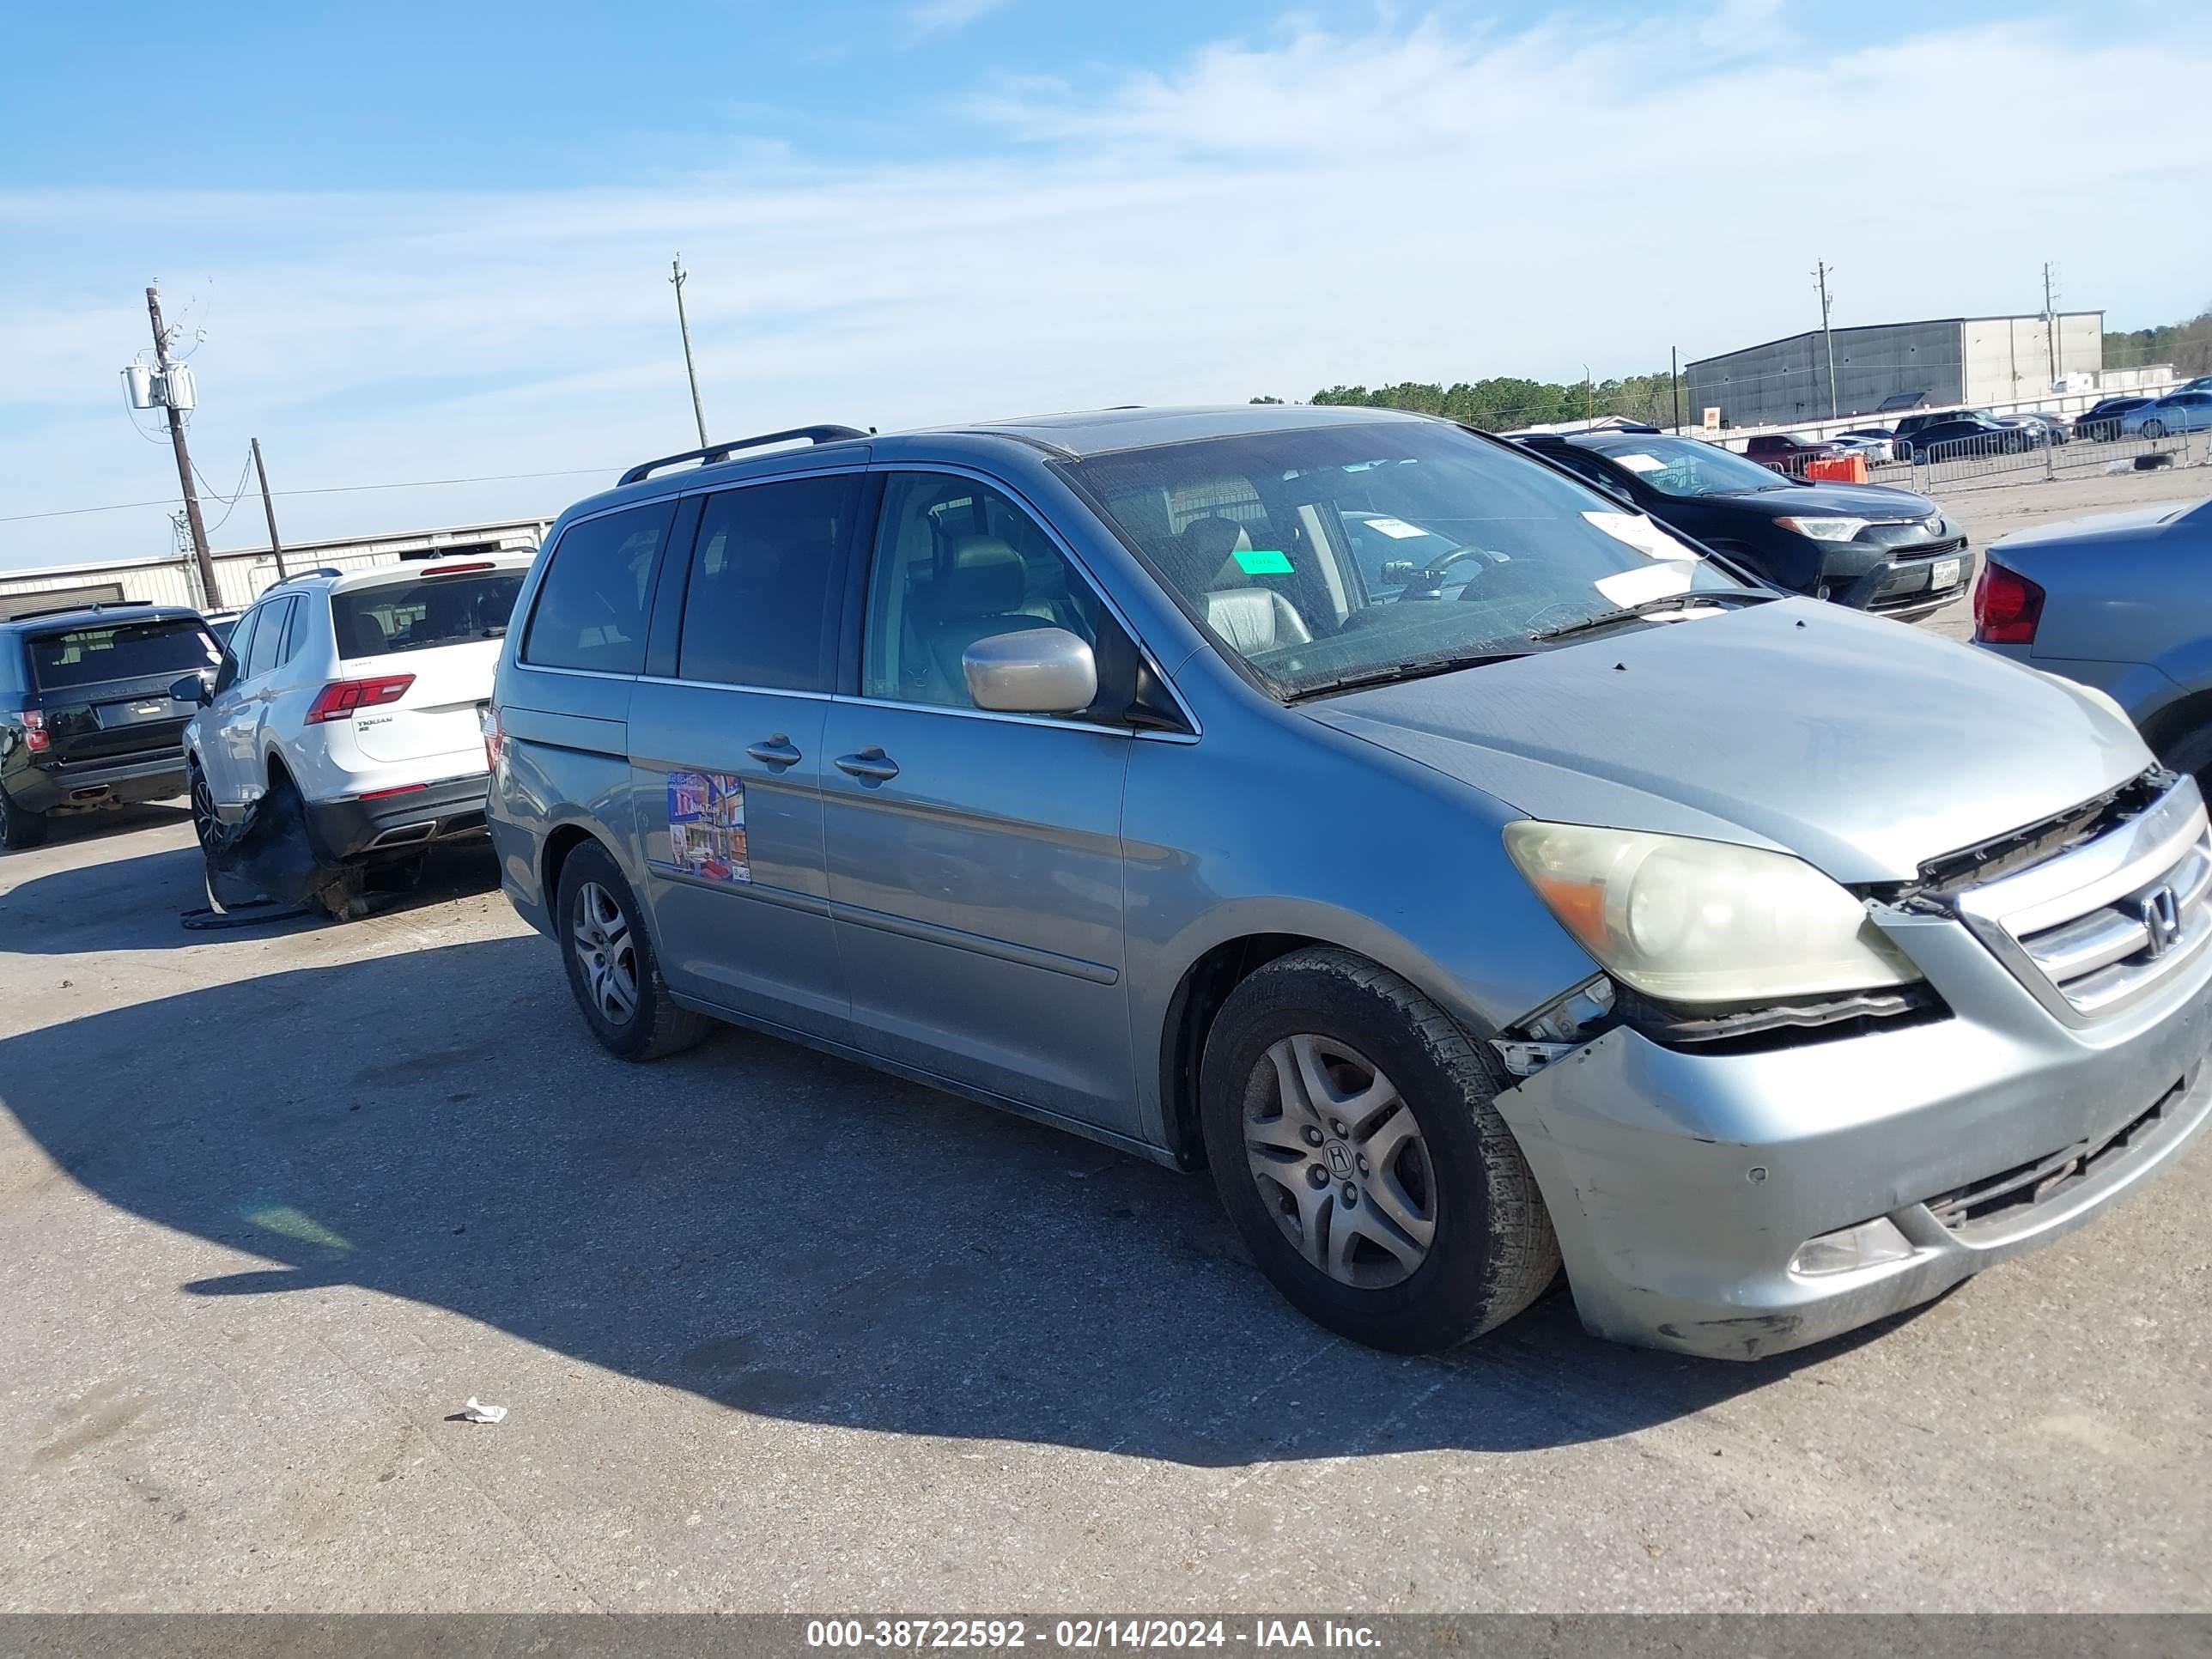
1474	877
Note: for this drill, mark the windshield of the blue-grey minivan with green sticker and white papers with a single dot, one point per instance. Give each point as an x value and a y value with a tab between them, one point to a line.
1258	539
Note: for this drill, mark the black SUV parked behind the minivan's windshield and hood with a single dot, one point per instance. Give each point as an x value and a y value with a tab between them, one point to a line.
1864	545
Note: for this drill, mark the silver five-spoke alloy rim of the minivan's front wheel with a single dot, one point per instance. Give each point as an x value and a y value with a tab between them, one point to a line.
1342	1162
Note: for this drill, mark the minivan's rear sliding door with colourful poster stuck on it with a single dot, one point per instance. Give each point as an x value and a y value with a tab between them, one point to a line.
727	755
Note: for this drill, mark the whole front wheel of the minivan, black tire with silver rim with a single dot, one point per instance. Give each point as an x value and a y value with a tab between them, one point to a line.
1353	1138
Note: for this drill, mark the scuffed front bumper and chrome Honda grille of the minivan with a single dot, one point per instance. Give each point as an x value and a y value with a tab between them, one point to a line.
1738	1204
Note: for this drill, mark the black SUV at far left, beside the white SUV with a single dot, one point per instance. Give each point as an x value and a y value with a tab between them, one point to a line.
85	709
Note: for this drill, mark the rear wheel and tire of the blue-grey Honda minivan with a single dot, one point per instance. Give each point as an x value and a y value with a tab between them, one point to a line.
612	966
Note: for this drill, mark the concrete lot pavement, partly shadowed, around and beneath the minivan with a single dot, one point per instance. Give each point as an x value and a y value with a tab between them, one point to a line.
778	1333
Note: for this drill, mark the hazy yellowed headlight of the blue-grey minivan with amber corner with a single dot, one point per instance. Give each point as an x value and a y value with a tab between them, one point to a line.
1702	921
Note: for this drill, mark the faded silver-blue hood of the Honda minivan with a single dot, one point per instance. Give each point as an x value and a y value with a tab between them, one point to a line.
1855	742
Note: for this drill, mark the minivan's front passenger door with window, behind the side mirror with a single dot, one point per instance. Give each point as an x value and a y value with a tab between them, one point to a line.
974	857
